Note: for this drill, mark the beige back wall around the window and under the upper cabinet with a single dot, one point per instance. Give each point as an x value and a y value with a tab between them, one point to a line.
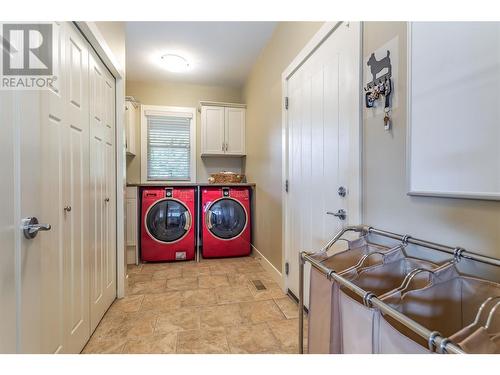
182	95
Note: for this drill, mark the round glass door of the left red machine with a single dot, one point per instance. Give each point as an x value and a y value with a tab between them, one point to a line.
168	220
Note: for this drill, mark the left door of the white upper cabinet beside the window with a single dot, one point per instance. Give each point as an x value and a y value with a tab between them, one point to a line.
212	130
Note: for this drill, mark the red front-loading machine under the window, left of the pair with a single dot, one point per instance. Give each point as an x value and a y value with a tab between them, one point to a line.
168	224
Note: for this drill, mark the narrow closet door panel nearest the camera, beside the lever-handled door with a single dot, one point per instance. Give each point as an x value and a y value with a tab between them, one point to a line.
53	128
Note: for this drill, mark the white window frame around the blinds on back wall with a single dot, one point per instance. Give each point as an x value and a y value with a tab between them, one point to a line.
144	141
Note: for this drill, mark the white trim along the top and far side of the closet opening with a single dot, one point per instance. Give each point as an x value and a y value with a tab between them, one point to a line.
91	32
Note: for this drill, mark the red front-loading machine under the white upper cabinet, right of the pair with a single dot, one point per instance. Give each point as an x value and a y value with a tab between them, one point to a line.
226	221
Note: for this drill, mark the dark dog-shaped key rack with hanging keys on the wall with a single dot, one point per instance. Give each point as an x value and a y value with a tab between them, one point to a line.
380	86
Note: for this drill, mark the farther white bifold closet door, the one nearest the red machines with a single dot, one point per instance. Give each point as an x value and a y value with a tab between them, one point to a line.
102	171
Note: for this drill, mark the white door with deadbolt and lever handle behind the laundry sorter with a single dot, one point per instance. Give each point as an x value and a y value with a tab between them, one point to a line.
322	134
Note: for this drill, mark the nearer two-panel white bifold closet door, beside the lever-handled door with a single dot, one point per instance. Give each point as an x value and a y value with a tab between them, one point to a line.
65	180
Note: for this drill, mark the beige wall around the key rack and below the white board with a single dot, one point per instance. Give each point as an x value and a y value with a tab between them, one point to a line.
472	224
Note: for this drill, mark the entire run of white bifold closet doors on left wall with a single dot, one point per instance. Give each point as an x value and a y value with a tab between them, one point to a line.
78	280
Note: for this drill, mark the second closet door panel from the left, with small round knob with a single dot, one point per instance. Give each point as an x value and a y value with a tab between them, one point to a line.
75	197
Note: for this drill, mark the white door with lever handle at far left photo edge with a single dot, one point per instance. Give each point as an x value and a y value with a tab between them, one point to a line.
20	258
